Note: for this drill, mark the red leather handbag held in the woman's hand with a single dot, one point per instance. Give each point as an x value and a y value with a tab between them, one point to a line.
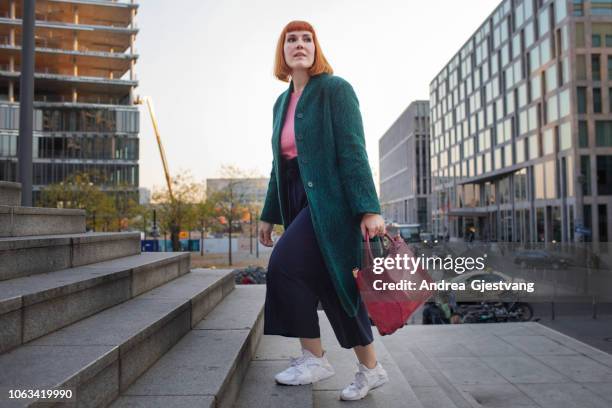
391	305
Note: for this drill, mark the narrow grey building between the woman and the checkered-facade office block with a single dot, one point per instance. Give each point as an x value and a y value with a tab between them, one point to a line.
405	184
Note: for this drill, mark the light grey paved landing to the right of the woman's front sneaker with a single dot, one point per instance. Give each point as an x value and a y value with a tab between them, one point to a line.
501	365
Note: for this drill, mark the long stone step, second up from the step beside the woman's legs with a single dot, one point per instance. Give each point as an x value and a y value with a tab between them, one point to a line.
101	355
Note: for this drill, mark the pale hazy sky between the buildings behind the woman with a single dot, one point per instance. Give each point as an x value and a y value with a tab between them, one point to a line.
207	65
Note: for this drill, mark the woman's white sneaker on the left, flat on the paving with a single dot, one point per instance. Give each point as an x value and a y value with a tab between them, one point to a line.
307	369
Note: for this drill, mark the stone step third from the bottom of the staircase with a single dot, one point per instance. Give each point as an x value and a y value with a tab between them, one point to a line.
35	305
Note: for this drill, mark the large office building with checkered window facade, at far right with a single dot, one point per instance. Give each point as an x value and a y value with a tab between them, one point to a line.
521	143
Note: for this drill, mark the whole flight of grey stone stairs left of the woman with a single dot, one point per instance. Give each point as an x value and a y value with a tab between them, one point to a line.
88	312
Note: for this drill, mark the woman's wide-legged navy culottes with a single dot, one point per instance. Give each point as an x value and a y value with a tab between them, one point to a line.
297	279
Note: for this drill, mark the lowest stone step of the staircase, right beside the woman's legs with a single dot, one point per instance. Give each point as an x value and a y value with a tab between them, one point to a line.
206	368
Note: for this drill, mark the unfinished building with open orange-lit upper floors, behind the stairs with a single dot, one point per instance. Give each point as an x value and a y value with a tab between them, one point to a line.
85	120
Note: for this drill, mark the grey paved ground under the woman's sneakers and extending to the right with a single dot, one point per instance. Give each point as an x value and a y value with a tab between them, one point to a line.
504	365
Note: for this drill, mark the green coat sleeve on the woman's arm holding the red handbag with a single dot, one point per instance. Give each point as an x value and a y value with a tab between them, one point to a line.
355	175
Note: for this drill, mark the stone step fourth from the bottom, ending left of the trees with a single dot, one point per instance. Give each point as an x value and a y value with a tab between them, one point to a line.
23	256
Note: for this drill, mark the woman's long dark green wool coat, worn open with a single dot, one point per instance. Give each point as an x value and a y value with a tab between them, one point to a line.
335	171
